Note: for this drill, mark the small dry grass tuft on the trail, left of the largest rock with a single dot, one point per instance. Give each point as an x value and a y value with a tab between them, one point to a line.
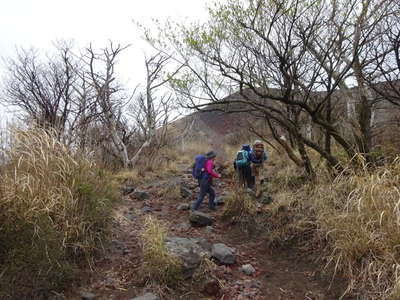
158	264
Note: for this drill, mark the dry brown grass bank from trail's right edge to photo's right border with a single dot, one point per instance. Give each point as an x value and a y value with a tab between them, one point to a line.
355	218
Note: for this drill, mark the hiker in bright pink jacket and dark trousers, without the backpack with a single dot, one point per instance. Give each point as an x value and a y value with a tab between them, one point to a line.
205	183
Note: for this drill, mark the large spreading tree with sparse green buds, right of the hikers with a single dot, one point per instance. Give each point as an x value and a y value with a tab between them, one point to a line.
293	63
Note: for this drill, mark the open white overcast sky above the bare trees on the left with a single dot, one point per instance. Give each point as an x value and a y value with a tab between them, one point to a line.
38	23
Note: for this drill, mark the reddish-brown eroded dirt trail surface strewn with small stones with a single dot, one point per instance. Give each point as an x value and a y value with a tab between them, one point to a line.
283	274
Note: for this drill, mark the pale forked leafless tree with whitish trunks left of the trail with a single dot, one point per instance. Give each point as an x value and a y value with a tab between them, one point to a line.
150	113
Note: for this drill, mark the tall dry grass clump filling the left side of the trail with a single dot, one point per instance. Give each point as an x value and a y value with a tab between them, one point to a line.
54	210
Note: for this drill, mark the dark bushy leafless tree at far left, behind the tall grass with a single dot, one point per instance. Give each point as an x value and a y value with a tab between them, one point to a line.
42	89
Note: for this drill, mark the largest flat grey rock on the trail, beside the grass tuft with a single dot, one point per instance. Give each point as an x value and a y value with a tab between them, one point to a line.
189	251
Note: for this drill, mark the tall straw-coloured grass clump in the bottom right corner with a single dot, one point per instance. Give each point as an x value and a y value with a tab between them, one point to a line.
360	218
